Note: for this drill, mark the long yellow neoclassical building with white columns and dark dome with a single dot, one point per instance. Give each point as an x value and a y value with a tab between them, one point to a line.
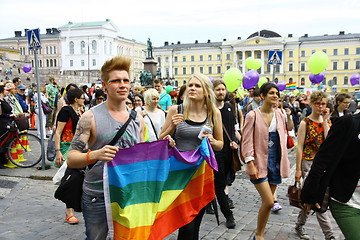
179	61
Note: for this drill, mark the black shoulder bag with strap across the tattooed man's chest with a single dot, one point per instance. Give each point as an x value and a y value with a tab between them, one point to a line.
70	188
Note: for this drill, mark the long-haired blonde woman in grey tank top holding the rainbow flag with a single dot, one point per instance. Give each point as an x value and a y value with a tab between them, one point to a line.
198	110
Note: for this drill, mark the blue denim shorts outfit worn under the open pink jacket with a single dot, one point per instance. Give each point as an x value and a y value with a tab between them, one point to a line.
273	167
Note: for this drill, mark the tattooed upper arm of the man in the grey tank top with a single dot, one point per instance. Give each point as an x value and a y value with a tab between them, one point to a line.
82	133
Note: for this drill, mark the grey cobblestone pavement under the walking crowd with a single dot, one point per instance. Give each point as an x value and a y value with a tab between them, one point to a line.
29	211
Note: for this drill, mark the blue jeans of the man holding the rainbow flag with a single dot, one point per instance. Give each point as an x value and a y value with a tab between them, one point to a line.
94	213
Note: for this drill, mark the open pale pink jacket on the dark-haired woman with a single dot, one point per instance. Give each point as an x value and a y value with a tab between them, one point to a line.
254	144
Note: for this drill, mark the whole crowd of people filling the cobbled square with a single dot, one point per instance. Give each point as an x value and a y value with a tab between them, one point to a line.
256	124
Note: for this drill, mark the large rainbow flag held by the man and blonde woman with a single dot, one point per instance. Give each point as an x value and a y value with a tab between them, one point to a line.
152	189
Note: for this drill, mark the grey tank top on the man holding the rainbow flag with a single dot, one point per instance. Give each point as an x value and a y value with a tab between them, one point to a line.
106	129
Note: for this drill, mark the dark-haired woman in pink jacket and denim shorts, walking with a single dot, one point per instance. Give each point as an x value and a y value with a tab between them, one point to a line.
265	152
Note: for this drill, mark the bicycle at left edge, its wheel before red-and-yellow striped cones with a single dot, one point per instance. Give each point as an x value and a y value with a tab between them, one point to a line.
23	149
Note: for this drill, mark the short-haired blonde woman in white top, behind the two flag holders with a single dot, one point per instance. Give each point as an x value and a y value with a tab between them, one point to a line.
154	118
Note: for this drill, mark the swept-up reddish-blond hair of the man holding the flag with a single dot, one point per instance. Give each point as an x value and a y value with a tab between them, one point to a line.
120	63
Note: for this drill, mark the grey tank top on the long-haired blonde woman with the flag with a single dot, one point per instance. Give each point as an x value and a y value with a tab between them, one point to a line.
187	132
